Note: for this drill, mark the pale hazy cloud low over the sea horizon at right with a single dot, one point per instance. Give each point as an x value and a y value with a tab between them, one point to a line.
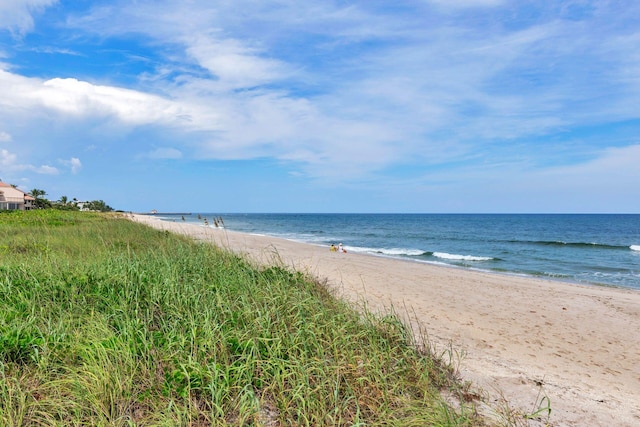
605	183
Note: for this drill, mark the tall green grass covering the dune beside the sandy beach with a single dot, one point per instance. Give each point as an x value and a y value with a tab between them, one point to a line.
104	321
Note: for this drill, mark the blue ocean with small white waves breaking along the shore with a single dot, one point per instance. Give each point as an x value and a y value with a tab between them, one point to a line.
598	249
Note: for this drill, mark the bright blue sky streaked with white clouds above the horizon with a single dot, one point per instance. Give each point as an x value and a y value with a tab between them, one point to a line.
330	106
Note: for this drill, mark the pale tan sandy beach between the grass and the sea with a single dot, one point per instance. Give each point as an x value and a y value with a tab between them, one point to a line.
517	339
